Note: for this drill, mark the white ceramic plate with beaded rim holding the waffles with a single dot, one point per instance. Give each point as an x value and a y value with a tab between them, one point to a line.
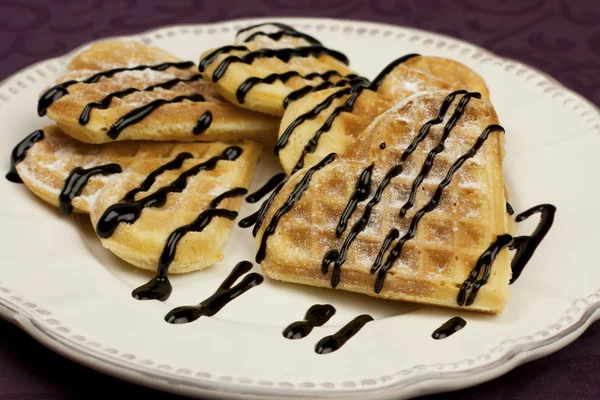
63	288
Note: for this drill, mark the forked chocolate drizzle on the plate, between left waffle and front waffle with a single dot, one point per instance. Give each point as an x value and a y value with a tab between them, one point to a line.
224	294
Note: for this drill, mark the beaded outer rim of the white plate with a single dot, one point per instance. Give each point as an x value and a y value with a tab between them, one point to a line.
38	323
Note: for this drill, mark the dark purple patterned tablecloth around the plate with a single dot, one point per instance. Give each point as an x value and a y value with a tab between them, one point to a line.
560	37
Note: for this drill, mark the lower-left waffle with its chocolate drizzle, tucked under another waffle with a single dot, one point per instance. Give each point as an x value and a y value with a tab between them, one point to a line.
144	197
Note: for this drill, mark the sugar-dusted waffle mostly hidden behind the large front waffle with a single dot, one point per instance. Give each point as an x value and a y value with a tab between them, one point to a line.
306	136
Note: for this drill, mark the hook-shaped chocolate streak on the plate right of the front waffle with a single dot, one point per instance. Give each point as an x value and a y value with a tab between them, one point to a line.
526	245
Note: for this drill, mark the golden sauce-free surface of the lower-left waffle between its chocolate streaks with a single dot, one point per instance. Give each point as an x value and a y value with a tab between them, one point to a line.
50	162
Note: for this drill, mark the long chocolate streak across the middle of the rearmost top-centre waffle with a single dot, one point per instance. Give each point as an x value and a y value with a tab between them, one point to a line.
284	55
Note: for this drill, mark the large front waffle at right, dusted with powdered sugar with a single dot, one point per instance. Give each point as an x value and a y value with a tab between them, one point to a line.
449	238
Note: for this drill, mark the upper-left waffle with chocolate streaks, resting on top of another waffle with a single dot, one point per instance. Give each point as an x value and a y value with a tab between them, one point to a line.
136	110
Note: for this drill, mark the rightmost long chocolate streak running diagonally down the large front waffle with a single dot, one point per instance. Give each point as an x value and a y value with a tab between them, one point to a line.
431	205
